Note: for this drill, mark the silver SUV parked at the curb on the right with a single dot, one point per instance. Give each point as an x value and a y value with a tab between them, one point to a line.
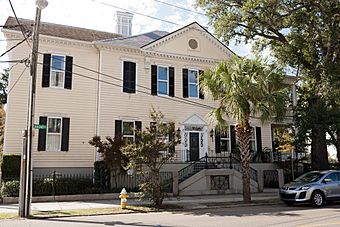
315	187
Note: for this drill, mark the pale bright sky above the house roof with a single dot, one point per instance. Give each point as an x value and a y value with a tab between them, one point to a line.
97	14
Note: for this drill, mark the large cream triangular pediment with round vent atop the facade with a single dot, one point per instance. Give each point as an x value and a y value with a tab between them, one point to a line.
191	40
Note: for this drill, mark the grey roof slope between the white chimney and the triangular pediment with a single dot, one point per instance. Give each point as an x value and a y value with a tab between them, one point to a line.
137	40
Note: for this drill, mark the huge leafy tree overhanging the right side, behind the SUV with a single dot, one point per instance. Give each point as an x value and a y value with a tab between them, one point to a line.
303	34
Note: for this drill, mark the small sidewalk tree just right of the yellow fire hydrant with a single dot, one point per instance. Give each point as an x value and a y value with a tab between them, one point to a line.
155	146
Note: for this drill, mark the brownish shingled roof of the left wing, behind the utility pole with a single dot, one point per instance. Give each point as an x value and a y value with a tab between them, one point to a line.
61	31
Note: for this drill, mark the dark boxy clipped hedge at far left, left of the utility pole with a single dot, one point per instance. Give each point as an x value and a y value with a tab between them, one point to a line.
10	167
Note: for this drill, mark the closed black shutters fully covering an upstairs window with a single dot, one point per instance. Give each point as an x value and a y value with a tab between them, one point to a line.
129	77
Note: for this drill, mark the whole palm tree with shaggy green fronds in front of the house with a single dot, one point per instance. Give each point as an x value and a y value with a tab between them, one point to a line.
244	89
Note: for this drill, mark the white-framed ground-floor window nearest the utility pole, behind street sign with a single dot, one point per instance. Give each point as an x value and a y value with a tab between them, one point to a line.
53	135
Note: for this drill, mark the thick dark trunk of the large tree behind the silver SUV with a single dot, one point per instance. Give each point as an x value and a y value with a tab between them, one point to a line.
319	148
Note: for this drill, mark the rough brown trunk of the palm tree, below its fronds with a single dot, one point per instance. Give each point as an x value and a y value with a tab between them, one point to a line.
243	132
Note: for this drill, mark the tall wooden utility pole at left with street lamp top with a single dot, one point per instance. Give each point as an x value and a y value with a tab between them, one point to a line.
25	201
